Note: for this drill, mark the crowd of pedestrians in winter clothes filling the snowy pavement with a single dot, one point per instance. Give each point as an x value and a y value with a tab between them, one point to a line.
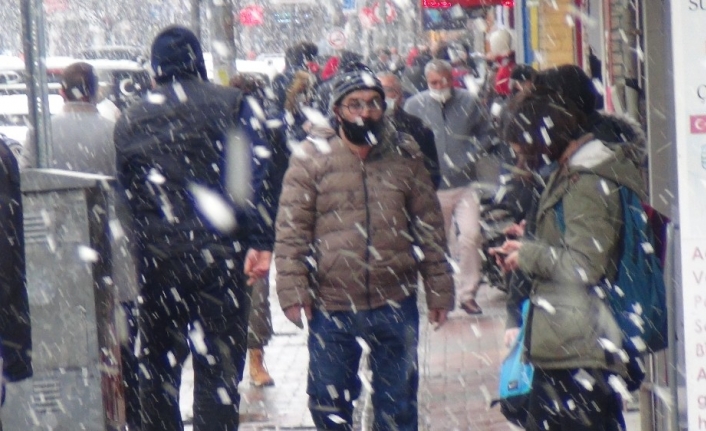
362	184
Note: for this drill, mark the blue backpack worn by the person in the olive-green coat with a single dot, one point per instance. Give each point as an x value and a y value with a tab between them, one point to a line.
637	296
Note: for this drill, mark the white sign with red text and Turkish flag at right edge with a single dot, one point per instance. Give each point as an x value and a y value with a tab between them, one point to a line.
689	50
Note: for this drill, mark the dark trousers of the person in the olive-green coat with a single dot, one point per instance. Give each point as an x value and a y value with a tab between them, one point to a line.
559	402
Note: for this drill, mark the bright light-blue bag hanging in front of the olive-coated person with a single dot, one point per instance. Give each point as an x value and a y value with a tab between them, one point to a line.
516	376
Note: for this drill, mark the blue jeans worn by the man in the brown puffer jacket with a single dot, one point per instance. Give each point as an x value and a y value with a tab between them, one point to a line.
393	335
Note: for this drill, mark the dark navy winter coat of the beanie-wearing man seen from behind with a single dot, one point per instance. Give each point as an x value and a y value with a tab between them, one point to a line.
173	140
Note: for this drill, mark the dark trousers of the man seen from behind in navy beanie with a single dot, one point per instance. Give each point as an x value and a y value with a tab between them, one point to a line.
207	303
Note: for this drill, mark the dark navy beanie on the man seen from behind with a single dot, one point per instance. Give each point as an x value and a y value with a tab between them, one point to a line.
176	53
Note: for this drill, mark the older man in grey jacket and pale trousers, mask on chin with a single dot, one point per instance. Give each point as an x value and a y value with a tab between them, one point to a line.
461	130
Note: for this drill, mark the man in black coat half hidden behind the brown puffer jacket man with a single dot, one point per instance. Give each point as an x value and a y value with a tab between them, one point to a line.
408	123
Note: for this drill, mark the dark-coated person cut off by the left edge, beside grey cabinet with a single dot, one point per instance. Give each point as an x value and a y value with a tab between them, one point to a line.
15	329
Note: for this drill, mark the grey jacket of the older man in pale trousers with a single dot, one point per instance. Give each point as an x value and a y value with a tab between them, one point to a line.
461	131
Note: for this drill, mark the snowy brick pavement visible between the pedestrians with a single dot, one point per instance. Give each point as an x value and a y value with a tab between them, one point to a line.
458	375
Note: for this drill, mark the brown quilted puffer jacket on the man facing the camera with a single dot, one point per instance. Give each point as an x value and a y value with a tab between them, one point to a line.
347	229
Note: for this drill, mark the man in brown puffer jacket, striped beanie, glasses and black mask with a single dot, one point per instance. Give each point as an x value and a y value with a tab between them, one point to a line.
358	219
